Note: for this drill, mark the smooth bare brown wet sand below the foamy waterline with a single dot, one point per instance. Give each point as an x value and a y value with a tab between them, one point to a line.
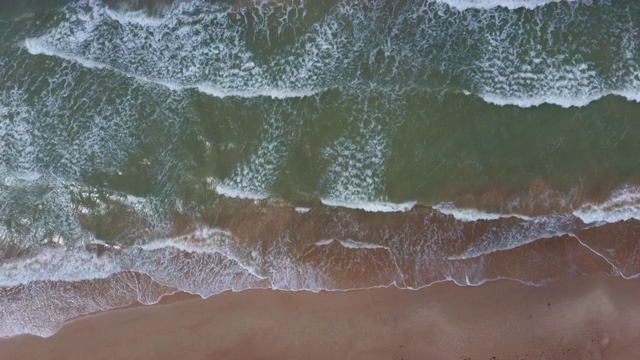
587	317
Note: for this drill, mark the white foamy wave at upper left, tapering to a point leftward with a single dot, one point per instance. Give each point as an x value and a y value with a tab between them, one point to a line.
227	69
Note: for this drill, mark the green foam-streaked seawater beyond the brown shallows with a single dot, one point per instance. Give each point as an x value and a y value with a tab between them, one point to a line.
351	103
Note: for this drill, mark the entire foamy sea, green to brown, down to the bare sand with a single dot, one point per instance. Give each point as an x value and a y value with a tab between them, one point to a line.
149	147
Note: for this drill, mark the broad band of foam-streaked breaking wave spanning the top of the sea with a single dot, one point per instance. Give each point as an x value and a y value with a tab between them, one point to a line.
493	52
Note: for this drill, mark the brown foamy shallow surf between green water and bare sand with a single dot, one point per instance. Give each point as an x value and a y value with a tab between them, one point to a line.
248	244
